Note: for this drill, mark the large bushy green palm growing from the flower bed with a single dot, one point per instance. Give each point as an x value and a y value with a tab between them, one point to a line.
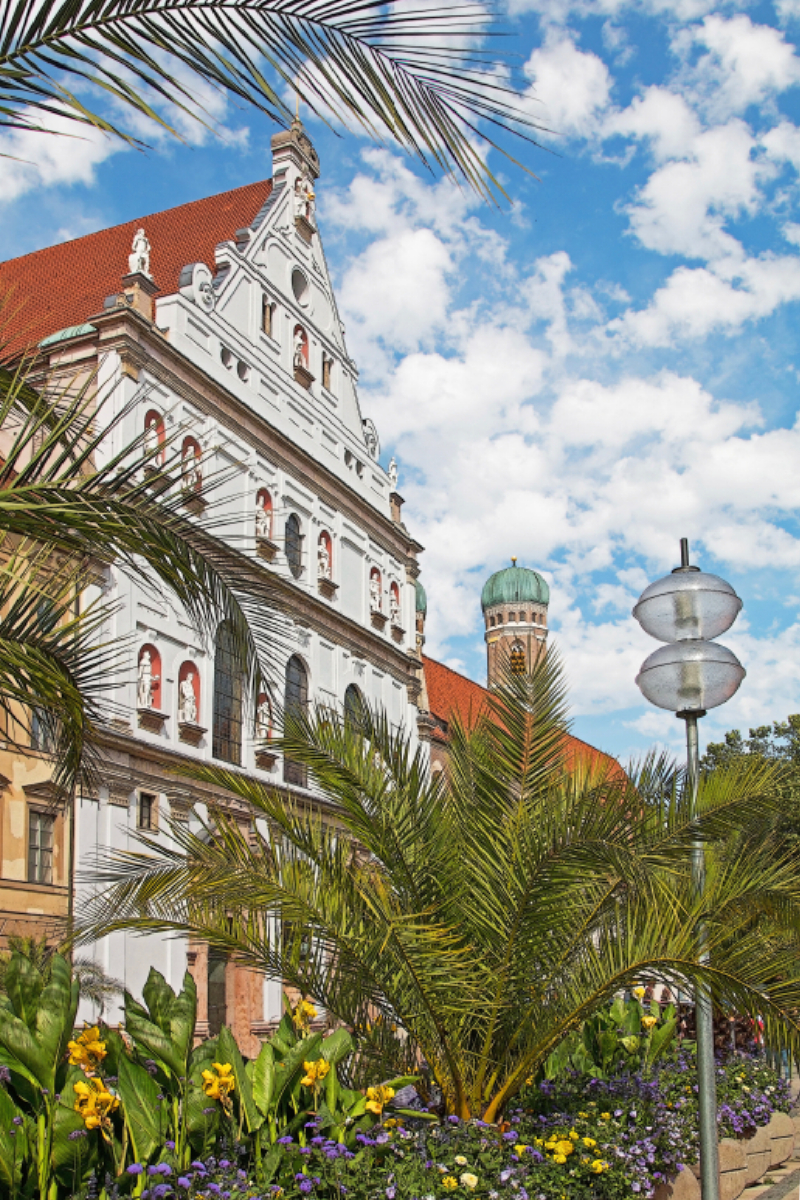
468	925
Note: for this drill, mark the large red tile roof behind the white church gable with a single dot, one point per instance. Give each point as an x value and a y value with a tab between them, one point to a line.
64	285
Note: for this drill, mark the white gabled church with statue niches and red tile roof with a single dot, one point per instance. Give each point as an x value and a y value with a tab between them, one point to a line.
214	328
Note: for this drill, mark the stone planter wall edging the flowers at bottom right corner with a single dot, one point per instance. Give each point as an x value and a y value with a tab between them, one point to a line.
742	1162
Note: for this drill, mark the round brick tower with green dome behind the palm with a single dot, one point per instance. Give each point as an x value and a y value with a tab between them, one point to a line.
515	610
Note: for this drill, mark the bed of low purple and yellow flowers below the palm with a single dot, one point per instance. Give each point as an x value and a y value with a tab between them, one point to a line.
578	1141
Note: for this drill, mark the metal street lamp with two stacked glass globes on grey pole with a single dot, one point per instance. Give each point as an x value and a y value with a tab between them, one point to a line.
688	676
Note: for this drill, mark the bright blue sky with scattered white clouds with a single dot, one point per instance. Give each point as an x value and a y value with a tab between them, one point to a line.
581	376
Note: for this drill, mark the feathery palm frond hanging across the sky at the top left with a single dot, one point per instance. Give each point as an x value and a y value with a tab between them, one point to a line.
419	75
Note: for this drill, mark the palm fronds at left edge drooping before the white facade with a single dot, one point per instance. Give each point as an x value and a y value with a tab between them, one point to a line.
69	509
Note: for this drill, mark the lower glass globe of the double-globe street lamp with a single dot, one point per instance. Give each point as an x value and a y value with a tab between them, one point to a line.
690	676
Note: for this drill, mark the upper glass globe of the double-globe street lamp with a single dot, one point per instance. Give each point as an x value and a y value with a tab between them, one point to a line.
688	605
